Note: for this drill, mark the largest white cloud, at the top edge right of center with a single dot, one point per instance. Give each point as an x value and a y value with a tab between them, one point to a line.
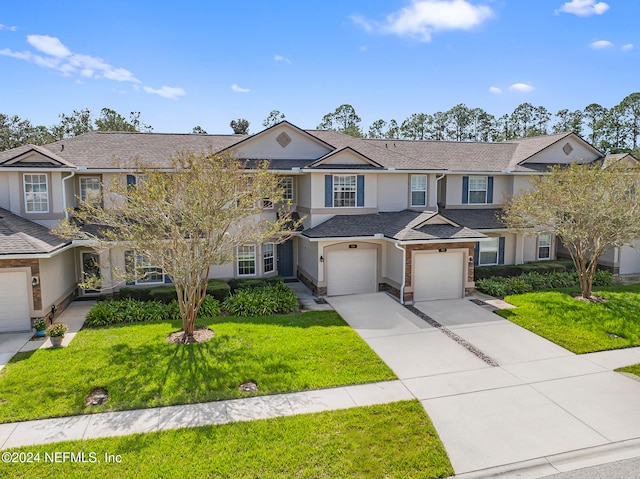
423	17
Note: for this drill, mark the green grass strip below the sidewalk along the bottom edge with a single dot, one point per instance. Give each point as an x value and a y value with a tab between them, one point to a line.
388	441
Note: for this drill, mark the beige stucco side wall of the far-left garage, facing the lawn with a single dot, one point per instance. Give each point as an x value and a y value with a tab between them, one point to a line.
57	278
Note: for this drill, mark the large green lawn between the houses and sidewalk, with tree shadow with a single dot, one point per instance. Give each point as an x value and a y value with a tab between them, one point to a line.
140	369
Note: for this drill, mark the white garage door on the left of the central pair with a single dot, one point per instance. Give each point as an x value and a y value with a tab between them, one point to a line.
352	271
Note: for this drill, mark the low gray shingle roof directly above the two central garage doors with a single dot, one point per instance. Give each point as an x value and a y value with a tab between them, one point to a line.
400	225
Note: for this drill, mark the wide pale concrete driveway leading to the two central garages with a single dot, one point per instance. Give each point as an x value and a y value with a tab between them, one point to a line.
541	400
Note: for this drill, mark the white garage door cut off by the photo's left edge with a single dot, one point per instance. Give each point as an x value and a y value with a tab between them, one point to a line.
14	302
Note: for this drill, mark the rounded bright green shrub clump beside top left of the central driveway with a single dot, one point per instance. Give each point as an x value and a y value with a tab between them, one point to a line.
263	301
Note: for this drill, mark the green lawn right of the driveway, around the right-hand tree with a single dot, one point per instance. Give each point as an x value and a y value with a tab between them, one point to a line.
579	326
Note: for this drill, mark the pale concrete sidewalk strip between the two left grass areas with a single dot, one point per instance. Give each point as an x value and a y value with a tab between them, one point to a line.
122	423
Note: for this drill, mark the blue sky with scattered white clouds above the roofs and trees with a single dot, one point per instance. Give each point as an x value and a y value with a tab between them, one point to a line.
205	63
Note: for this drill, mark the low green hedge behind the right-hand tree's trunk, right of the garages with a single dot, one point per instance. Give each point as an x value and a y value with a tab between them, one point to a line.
534	281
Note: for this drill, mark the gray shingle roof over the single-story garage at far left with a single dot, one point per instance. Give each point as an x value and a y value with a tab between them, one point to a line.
21	236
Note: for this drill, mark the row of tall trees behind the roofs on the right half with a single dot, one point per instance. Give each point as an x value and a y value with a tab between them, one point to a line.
612	130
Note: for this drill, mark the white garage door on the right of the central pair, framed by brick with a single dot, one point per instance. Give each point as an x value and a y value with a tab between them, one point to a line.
437	276
